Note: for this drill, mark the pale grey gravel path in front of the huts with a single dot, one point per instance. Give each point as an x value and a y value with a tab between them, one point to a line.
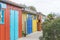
33	36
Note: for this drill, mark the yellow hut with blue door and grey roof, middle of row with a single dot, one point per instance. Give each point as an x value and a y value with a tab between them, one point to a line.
30	20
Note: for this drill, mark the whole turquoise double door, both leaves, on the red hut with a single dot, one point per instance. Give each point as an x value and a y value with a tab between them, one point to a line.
13	25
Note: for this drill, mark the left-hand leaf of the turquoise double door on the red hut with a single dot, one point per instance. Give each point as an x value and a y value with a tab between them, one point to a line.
12	25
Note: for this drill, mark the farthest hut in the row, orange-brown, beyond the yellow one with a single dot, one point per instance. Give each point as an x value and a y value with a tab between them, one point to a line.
40	21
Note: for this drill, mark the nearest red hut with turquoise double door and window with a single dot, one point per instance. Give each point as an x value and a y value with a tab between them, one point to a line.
10	20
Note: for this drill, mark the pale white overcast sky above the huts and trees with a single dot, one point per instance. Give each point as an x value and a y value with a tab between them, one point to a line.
44	6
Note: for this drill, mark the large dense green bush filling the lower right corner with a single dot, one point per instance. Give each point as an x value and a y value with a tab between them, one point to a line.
51	30
